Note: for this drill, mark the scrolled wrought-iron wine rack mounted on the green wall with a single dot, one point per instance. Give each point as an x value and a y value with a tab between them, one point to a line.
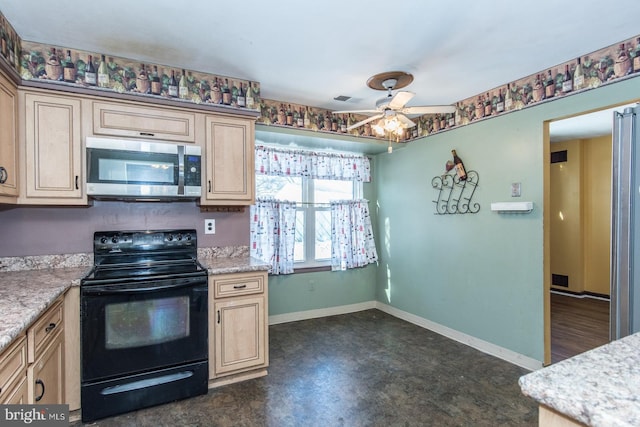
454	194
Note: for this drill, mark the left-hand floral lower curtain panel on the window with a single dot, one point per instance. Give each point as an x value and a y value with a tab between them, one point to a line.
272	231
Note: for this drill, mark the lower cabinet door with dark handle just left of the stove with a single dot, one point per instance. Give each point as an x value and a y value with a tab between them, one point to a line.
45	377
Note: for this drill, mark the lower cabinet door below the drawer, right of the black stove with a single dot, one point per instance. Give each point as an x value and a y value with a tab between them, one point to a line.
239	334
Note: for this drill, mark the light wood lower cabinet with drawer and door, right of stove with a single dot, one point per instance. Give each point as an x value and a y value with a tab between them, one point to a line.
238	327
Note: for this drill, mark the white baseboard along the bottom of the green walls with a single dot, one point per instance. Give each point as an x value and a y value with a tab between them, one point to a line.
483	346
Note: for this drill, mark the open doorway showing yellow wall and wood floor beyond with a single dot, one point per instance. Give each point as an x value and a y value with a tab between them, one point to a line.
577	233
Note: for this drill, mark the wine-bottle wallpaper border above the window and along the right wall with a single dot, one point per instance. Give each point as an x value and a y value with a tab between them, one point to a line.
605	66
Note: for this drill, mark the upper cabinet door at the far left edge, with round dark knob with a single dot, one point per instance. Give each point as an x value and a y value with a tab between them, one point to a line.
8	138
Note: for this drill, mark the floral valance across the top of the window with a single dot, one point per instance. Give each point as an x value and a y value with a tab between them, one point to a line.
309	164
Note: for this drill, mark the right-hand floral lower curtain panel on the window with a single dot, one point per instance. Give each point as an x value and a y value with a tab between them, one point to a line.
352	243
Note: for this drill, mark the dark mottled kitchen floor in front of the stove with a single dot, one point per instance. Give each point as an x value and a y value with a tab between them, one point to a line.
360	369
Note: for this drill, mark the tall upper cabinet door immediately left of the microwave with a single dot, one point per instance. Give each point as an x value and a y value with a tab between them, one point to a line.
53	150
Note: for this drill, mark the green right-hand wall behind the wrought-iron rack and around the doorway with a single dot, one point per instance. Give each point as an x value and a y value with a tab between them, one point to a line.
480	274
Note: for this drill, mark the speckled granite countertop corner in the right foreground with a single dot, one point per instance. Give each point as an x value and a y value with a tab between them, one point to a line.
599	388
